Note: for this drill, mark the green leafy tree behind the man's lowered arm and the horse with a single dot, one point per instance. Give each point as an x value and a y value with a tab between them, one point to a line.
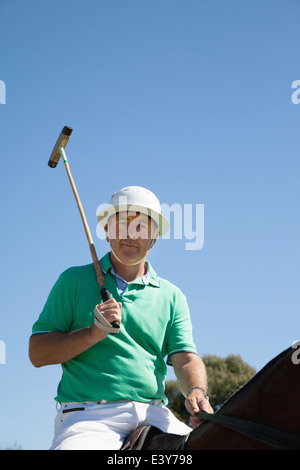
225	377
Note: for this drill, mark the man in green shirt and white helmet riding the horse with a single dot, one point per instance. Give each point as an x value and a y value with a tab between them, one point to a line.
113	381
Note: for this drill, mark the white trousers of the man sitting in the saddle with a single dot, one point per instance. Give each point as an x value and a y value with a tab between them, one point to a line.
105	425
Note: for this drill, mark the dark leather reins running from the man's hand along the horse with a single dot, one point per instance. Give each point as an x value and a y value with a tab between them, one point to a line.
283	440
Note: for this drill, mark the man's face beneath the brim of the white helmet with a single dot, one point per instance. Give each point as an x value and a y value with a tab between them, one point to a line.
131	235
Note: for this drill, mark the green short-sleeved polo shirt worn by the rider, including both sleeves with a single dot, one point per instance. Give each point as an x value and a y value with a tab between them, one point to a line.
130	365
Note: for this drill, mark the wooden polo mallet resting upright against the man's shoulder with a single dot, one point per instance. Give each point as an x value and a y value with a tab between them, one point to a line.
57	152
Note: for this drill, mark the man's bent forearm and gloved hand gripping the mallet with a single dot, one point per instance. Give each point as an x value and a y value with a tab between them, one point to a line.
56	347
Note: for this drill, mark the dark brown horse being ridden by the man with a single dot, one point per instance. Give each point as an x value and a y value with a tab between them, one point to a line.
262	415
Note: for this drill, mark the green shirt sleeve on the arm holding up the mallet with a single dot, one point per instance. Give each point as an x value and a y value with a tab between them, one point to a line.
57	314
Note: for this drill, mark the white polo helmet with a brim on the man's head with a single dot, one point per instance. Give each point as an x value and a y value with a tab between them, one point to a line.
137	199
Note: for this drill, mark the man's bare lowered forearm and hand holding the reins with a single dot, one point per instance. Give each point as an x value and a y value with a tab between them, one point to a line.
191	372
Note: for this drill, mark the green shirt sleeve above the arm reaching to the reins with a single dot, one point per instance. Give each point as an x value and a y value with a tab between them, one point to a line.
180	337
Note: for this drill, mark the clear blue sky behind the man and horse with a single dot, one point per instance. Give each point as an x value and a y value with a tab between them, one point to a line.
191	99
